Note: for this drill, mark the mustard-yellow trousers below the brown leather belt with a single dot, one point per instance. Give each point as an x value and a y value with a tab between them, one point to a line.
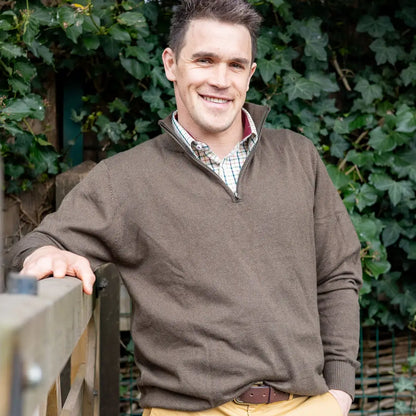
323	405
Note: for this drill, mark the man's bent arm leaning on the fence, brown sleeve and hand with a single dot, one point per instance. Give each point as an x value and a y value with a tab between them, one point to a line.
77	238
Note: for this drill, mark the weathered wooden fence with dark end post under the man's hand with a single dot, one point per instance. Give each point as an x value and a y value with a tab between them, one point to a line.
59	349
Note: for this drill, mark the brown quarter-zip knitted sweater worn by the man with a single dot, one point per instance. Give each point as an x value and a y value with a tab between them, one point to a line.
226	291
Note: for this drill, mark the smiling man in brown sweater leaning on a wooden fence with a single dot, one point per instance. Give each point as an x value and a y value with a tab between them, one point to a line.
240	259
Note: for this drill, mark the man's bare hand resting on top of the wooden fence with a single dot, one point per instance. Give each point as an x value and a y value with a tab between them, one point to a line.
51	261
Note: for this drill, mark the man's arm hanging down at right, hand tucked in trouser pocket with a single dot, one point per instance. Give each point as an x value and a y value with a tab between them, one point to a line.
339	279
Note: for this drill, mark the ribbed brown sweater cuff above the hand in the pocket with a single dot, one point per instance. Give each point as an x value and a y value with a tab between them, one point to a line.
340	375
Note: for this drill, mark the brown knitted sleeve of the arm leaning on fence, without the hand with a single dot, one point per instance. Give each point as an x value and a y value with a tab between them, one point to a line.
84	224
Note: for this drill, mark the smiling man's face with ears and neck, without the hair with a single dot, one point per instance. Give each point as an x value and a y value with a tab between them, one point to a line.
211	77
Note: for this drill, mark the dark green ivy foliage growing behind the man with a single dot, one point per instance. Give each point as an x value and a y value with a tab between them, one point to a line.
341	73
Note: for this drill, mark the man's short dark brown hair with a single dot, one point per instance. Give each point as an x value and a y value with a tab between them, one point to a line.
228	11
